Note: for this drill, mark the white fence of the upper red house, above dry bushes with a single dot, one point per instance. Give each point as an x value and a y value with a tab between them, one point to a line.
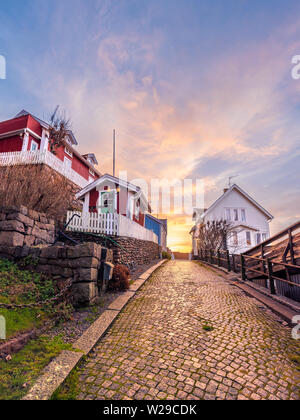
39	157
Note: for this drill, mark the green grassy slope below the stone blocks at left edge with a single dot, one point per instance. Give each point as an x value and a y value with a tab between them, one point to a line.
22	287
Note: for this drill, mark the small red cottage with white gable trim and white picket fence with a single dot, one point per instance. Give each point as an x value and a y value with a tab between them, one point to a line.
113	206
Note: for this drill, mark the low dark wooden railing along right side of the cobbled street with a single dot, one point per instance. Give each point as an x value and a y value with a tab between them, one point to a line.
279	277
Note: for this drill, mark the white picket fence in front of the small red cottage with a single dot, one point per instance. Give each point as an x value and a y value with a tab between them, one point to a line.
109	224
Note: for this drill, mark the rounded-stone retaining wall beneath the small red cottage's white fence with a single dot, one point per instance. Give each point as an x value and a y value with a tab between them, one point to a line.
136	252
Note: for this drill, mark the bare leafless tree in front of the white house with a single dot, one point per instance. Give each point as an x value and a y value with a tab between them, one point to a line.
214	234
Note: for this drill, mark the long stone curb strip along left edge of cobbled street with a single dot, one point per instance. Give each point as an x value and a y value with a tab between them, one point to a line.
60	368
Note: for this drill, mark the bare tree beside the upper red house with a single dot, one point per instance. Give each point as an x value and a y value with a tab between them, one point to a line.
58	130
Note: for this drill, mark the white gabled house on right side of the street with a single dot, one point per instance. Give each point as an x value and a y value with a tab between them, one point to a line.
249	220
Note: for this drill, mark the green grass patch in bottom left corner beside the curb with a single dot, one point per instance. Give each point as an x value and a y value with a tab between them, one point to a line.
26	366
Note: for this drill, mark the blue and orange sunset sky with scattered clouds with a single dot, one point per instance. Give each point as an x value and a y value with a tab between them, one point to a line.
196	89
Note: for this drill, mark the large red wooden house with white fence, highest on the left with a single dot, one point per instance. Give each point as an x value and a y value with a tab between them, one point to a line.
25	140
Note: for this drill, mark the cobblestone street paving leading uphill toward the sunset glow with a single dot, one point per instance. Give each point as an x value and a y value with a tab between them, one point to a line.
162	346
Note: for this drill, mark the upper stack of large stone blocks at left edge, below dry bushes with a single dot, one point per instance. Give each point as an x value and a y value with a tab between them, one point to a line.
20	226
